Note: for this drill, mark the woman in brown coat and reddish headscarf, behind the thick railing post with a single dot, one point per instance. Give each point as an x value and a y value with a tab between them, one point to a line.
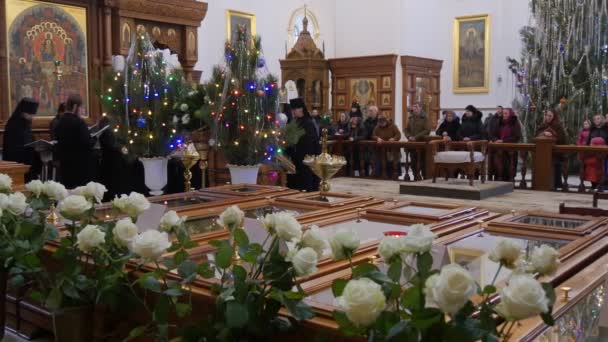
553	127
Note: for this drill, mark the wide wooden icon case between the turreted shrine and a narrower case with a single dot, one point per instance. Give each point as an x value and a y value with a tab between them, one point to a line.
367	80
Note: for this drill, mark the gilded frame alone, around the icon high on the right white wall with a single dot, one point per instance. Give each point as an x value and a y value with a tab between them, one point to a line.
481	20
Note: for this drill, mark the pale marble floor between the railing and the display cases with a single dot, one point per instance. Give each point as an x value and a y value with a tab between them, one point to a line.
519	200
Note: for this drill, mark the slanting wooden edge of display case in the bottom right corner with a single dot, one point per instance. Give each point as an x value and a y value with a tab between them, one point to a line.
580	286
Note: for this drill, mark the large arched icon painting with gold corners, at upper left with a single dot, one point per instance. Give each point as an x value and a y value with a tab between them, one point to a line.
46	45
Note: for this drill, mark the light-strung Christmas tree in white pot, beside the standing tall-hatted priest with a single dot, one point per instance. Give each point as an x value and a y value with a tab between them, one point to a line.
244	103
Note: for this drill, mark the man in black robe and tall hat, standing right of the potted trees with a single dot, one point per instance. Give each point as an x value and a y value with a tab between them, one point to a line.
303	179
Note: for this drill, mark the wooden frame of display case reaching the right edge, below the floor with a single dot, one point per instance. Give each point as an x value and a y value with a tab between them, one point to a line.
509	222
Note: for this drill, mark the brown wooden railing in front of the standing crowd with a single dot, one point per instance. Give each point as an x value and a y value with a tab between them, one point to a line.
388	160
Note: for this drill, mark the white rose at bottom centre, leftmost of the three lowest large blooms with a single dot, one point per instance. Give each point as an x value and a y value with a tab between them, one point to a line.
362	301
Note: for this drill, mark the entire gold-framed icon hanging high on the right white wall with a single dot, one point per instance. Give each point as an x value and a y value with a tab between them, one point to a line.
471	54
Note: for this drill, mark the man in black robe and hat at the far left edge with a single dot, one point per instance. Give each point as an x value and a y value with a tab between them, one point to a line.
18	133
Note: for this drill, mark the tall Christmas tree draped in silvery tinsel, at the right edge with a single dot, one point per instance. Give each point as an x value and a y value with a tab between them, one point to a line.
564	62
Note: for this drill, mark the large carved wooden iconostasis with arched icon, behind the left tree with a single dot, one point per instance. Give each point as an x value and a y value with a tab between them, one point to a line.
82	35
